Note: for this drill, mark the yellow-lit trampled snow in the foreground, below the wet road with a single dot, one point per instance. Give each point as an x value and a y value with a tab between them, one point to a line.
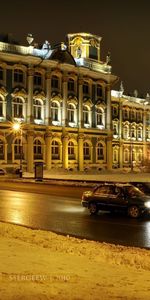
41	265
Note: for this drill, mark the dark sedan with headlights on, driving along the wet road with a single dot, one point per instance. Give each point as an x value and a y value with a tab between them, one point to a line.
117	197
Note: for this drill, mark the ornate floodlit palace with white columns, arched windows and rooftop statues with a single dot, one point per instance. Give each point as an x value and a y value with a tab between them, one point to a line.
70	116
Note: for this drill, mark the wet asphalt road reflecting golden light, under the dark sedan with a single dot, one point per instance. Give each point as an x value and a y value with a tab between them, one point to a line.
58	208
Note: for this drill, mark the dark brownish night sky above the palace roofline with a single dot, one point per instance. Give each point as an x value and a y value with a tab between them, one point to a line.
123	25
